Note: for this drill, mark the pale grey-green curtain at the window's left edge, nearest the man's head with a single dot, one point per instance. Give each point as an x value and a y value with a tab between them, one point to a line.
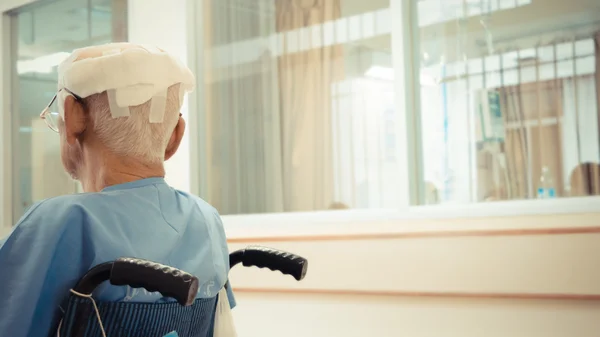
242	108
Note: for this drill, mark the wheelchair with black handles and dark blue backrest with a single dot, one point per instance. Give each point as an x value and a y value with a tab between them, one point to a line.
187	315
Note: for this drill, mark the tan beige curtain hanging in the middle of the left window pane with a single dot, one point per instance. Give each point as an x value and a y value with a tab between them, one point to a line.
305	82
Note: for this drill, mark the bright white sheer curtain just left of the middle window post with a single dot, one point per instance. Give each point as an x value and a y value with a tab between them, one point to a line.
364	144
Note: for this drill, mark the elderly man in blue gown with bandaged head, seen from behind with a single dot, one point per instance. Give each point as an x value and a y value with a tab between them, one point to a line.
118	120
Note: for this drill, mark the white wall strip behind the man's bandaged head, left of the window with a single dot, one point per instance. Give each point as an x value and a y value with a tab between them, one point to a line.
162	23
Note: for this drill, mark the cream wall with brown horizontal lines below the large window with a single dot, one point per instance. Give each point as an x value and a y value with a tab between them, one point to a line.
513	276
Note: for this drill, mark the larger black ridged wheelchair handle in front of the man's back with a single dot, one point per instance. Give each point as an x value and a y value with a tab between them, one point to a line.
138	273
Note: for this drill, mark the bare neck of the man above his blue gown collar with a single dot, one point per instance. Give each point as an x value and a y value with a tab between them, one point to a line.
107	169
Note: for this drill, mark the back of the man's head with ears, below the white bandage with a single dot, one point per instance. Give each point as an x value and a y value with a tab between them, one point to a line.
89	126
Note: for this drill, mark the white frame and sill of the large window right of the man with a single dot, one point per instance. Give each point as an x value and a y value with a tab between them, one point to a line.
406	69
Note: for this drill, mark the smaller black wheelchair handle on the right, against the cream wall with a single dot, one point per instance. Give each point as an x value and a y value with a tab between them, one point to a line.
276	260
